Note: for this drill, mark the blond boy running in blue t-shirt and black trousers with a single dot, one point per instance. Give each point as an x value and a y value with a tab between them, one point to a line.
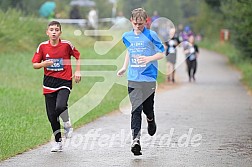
144	48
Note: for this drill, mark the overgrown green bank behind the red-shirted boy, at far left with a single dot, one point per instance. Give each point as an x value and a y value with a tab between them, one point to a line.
20	34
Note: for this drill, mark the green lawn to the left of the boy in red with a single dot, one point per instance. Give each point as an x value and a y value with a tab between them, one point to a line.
22	115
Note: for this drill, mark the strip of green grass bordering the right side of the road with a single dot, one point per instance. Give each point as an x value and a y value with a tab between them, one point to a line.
235	58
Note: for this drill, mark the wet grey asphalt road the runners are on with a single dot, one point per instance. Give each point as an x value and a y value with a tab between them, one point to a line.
201	124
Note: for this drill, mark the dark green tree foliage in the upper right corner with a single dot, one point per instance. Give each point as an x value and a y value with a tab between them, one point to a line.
235	15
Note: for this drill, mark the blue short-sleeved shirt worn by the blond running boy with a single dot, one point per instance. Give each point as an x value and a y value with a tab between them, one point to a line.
145	44
